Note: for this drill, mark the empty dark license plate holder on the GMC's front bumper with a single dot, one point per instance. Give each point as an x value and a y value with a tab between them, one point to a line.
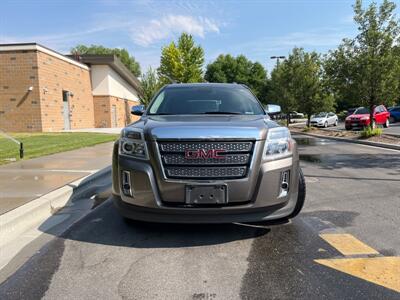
206	194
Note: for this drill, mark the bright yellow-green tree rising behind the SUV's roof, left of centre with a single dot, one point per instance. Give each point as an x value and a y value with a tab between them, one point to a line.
181	62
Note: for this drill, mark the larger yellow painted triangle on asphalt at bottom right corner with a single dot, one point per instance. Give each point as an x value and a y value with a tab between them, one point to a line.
384	271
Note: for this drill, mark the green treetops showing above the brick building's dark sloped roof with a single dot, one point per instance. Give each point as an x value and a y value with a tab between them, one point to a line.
128	60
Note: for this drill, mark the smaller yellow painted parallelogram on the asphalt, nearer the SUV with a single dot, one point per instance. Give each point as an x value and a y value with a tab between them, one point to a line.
347	244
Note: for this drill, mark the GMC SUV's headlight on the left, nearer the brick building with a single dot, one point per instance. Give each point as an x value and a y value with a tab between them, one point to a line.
132	143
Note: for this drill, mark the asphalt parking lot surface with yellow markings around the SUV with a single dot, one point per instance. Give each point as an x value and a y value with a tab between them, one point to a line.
344	245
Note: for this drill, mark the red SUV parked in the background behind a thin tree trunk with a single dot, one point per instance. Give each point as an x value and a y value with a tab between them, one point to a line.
360	118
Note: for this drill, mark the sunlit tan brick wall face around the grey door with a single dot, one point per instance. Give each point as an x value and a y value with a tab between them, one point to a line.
56	76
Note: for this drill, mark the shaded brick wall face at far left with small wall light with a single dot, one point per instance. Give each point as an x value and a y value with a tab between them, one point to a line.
19	108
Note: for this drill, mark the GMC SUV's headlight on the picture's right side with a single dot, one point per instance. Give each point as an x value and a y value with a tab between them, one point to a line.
279	143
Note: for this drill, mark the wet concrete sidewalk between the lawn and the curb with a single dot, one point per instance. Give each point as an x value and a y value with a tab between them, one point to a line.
24	181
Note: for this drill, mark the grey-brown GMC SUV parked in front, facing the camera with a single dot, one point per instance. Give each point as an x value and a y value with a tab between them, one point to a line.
206	153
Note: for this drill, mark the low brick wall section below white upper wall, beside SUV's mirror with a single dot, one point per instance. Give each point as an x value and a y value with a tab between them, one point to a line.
103	111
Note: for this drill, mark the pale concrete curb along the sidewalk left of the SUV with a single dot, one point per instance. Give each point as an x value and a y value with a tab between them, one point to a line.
32	214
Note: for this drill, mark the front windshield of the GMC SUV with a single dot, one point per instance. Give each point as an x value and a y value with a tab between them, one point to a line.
205	100
